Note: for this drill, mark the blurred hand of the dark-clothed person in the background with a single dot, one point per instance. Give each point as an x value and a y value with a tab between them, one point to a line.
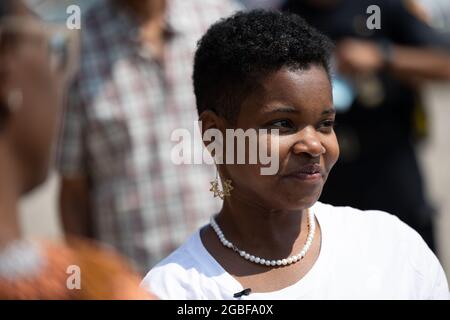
359	56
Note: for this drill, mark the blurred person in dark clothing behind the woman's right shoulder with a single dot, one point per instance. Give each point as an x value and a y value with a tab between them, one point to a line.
378	74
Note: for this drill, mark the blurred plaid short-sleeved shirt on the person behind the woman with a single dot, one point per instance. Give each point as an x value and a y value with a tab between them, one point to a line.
122	109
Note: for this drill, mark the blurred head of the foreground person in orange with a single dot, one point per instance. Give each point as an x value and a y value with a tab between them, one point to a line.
33	70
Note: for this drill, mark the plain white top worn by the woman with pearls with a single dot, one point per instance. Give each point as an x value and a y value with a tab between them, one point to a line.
364	255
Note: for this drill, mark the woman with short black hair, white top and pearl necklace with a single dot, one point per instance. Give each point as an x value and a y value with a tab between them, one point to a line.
272	239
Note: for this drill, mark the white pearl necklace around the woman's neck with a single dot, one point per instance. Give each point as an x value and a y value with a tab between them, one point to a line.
268	262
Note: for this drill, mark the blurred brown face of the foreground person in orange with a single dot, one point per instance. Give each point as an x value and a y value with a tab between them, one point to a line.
30	129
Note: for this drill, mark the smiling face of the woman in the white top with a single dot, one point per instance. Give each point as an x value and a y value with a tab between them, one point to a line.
299	104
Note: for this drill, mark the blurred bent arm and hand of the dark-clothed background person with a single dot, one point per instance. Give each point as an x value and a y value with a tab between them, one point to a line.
413	50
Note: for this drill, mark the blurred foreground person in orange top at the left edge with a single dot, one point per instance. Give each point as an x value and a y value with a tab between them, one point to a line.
36	62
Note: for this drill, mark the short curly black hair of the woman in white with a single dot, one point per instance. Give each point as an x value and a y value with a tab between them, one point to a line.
239	51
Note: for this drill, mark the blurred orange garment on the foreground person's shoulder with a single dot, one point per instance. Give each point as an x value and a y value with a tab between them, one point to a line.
104	275
